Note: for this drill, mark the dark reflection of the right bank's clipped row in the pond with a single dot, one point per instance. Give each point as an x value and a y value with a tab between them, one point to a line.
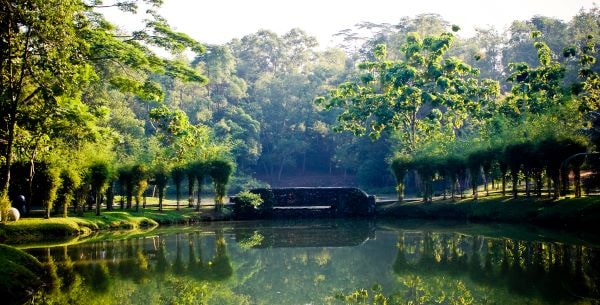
552	271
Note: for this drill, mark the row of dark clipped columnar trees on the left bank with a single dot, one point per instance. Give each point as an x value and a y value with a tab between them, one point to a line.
57	190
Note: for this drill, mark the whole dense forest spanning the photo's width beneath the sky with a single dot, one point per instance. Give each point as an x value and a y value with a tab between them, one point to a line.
86	103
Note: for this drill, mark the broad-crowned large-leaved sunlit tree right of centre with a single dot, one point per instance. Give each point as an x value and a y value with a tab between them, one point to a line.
392	95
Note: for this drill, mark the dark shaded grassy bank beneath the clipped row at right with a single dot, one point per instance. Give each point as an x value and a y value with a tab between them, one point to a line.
567	212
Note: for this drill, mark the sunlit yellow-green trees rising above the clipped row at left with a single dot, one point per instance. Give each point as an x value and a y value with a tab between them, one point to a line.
78	95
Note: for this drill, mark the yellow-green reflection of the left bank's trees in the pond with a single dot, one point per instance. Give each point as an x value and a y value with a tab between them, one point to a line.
75	272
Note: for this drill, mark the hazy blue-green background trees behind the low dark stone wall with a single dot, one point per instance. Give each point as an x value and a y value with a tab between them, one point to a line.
262	88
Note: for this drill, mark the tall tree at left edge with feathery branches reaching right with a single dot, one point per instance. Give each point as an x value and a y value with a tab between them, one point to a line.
58	60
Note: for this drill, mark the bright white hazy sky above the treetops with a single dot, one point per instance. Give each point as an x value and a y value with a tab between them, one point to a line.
218	21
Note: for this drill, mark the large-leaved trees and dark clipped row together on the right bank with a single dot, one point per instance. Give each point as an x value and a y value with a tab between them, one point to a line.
449	121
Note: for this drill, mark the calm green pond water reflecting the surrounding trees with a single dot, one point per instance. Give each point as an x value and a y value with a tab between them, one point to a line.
327	262
